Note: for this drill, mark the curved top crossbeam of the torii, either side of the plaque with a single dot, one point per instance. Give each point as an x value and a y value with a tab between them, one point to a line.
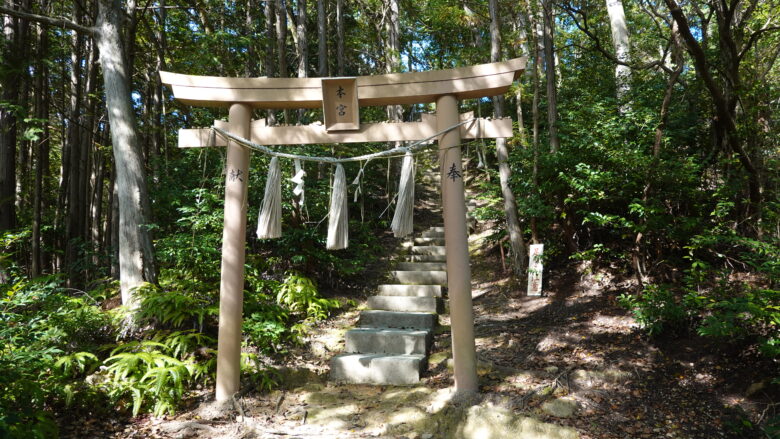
390	89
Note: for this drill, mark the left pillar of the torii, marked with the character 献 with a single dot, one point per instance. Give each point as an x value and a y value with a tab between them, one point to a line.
231	288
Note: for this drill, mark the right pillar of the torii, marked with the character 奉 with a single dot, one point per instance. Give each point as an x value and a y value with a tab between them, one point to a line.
457	248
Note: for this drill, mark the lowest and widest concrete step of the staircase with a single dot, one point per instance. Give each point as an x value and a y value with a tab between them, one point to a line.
397	370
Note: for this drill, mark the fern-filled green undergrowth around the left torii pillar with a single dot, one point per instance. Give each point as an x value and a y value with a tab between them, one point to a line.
62	351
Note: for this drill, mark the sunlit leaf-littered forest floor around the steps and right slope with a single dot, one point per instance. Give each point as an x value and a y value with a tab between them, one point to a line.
570	364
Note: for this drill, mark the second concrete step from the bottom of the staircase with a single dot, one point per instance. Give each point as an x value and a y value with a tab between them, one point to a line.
388	341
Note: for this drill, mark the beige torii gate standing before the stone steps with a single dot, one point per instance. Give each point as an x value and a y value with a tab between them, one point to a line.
340	99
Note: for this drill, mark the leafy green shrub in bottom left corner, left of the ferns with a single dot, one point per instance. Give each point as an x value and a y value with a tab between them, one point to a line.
41	324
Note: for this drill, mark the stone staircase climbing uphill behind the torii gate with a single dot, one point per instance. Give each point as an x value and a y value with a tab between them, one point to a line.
392	340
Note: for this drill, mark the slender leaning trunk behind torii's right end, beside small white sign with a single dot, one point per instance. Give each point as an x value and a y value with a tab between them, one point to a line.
502	156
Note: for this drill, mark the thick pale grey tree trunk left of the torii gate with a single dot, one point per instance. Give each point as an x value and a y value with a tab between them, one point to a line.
136	256
